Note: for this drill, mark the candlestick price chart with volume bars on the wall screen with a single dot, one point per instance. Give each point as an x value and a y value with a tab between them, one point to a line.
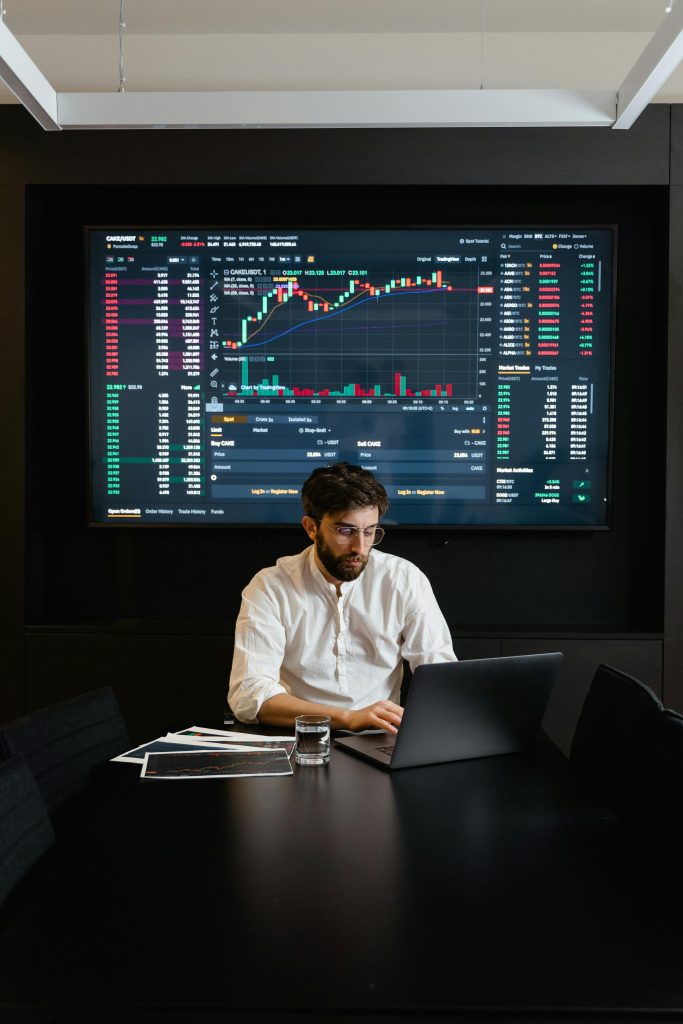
334	334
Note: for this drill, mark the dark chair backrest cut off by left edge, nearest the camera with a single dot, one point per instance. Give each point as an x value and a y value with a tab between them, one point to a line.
26	831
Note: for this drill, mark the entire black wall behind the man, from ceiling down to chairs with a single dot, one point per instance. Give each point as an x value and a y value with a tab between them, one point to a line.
152	612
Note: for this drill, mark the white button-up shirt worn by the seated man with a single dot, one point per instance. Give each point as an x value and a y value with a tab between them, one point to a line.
294	635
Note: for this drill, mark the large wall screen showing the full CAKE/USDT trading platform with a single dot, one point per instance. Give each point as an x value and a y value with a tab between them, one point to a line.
469	369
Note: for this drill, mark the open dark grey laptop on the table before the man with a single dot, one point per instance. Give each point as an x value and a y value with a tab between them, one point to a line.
461	710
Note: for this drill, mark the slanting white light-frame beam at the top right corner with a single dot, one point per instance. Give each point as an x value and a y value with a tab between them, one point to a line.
655	66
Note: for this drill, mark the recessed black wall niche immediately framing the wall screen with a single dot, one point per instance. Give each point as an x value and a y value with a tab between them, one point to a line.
487	581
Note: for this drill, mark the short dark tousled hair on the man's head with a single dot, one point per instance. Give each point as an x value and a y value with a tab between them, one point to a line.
341	487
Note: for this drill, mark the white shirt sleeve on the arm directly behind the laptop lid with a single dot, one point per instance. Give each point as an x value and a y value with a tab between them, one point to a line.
428	638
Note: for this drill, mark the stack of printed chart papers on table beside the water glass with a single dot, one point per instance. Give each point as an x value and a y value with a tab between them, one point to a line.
203	753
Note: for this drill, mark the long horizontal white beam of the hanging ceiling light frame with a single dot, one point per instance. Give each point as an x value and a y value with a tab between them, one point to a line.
339	109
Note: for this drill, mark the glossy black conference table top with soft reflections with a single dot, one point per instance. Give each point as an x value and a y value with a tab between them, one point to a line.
488	887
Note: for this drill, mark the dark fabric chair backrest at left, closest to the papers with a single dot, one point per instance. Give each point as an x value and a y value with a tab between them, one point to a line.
65	743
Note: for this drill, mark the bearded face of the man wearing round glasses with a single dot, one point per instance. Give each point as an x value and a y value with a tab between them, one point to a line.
341	559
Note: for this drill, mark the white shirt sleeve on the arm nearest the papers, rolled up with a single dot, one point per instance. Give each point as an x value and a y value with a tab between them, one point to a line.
260	650
